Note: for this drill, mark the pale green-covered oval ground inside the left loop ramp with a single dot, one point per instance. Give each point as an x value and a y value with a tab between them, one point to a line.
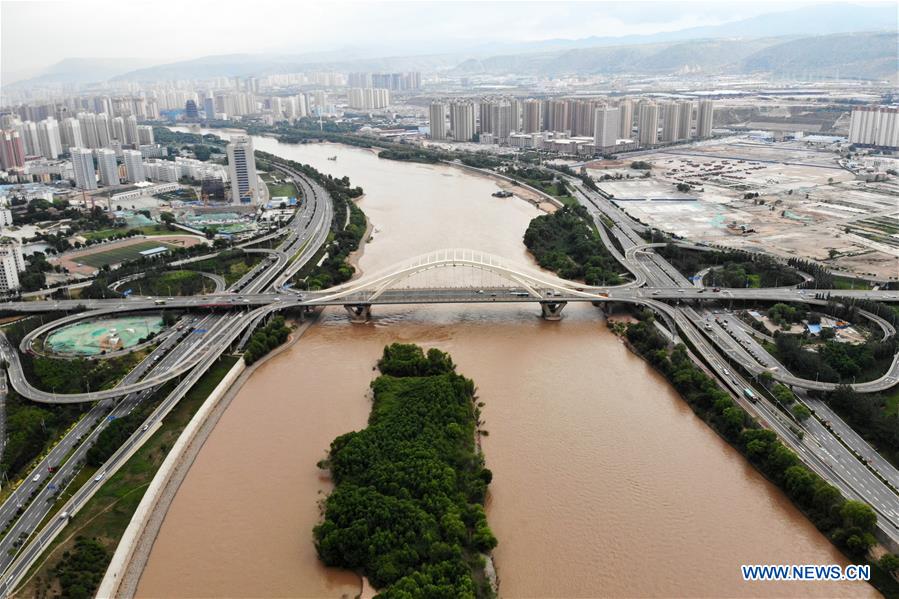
96	336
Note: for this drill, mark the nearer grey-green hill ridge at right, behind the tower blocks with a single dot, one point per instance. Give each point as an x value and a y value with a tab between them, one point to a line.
851	55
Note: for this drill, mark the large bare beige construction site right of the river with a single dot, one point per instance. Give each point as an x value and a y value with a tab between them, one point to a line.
791	198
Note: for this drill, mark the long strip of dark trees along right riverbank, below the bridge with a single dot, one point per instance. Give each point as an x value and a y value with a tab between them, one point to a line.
849	524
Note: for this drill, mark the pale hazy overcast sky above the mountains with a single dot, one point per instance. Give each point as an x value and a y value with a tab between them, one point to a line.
38	33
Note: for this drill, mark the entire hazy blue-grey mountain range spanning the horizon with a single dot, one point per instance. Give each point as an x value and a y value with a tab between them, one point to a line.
814	40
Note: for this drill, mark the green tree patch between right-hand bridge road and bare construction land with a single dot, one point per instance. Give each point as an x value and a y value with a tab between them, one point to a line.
731	268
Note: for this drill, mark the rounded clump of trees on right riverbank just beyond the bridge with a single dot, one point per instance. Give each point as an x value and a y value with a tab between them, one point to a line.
564	243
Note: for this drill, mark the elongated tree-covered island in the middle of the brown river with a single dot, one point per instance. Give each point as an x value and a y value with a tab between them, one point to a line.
407	507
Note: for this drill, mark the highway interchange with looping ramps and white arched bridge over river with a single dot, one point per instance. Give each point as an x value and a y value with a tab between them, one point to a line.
226	318
